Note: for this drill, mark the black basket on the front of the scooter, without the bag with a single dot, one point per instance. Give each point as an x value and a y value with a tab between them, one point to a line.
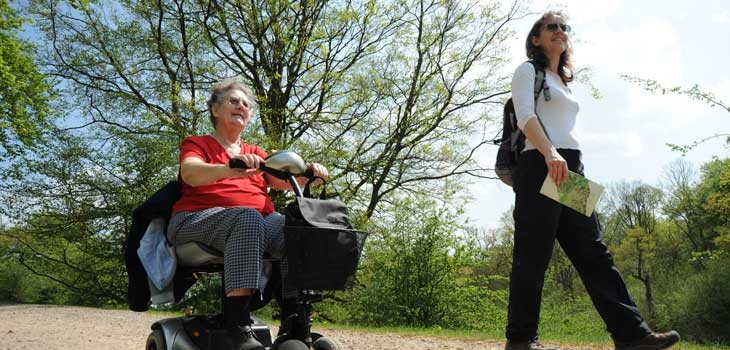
323	258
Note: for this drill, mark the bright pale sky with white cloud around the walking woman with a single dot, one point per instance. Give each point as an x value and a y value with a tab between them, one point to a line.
624	134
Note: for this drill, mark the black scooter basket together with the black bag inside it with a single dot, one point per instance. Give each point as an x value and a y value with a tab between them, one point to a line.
322	247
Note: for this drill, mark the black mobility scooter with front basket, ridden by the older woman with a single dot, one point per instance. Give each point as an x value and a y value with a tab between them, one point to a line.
320	258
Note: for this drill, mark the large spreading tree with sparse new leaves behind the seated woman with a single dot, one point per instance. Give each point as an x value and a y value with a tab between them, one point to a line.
393	96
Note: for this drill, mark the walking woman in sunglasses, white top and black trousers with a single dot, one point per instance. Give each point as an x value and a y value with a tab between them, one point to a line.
552	148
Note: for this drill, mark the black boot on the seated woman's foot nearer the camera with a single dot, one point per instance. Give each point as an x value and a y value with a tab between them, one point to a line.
238	324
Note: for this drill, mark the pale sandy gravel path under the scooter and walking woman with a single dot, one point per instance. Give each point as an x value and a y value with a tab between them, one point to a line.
44	327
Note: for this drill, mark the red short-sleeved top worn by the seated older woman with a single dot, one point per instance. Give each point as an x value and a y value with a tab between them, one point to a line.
251	191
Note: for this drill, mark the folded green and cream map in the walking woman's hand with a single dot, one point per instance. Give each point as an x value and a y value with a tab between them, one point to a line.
577	192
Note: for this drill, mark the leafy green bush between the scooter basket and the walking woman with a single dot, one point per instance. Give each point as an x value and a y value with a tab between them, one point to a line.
411	268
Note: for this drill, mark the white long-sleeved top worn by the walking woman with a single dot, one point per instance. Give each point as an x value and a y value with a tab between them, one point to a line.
557	115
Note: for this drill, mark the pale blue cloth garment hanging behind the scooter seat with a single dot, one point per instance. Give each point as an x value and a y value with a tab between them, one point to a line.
157	257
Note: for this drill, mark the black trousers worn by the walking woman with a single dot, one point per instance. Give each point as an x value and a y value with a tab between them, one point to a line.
539	221
